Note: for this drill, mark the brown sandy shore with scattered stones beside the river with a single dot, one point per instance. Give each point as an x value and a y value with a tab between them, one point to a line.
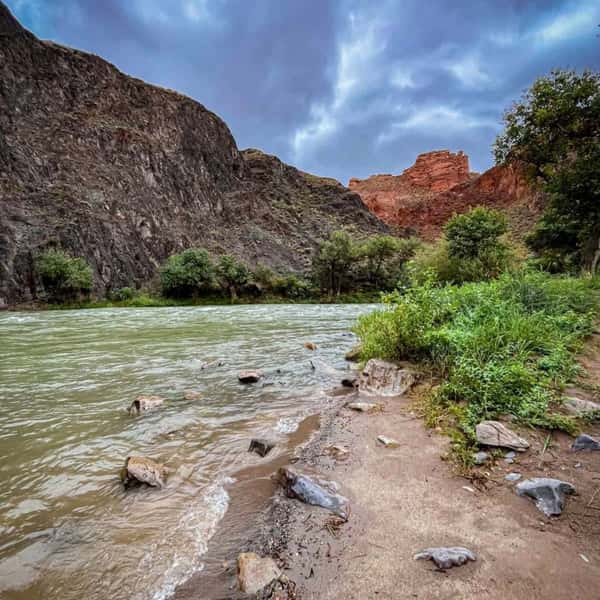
408	498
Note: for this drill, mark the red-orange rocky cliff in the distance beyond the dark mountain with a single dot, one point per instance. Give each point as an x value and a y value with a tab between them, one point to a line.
426	195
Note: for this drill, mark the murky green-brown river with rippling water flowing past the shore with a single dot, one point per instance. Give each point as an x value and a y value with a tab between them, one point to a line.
68	529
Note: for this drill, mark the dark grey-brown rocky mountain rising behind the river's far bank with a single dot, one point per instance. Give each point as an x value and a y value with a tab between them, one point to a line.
124	174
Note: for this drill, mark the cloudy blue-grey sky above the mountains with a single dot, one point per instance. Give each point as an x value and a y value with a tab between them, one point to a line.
340	88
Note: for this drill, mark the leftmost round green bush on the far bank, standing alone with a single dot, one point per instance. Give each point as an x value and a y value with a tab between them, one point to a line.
64	278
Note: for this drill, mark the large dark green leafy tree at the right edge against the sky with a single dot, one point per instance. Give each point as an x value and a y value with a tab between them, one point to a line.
555	130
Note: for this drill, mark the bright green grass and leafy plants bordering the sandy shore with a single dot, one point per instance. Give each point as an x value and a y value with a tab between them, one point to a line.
501	347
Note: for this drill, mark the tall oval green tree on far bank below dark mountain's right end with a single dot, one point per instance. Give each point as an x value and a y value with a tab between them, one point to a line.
332	264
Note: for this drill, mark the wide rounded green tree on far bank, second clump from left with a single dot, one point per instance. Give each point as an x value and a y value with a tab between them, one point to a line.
187	274
